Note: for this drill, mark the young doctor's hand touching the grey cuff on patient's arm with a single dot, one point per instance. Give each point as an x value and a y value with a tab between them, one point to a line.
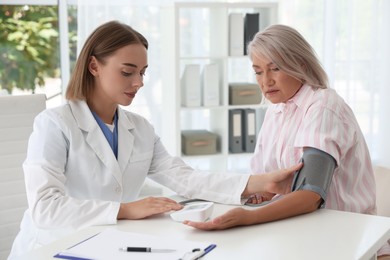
278	182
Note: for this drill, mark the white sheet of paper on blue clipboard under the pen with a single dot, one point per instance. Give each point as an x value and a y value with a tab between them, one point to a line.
105	246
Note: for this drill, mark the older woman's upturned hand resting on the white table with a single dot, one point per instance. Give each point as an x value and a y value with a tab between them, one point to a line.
232	218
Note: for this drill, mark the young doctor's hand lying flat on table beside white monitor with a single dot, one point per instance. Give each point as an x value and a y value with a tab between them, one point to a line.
147	207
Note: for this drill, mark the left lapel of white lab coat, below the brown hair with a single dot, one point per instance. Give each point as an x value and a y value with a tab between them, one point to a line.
95	137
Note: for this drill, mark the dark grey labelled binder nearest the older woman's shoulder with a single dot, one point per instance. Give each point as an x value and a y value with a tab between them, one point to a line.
249	130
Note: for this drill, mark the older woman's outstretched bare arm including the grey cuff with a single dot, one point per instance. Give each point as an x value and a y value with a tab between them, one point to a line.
309	192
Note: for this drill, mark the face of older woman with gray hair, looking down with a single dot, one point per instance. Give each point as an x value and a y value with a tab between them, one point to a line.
276	85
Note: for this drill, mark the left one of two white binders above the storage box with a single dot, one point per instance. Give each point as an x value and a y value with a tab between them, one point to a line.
190	86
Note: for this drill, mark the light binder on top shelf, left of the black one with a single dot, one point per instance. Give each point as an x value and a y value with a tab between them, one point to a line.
236	34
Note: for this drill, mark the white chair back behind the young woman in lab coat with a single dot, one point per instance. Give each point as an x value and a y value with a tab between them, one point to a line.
17	114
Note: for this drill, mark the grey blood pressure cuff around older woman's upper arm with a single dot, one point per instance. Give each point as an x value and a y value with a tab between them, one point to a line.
316	173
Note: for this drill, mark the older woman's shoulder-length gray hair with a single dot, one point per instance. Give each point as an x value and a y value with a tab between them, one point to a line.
291	53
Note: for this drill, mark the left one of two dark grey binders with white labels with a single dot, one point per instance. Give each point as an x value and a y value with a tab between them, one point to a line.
235	133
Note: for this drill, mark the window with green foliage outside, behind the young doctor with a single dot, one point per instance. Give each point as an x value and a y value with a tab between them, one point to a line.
31	49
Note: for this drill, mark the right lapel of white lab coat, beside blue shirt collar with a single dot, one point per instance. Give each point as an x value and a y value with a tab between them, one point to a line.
125	139
